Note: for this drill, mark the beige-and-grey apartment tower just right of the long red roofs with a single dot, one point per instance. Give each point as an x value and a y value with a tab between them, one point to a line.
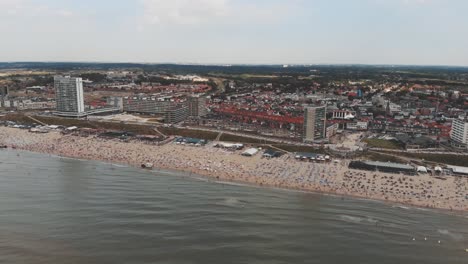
315	119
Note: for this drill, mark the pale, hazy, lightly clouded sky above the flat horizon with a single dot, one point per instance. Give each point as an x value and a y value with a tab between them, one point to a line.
414	32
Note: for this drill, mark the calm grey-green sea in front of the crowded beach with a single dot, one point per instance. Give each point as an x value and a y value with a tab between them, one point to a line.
60	210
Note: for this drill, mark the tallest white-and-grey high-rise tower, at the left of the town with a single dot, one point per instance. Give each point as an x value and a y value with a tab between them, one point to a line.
69	94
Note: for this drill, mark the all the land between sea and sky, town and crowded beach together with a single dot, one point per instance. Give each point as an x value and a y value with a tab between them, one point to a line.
397	135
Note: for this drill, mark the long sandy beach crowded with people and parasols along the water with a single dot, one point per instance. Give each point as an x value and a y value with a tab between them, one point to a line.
284	172
